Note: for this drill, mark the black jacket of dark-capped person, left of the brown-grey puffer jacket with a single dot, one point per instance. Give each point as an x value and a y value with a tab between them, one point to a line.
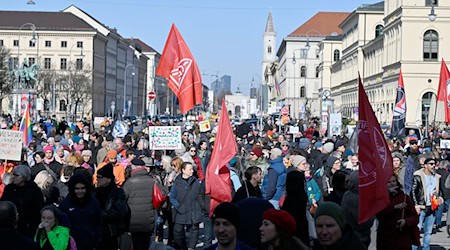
115	210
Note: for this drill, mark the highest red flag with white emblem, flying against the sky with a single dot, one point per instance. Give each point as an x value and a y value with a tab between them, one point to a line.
178	65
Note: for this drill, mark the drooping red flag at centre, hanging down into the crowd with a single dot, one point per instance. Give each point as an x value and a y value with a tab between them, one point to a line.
218	181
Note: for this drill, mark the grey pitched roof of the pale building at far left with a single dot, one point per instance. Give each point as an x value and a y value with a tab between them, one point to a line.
13	20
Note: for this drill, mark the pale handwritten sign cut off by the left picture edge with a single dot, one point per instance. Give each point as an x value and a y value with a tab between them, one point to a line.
10	144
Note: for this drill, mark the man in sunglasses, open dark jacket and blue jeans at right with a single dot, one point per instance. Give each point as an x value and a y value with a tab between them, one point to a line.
425	191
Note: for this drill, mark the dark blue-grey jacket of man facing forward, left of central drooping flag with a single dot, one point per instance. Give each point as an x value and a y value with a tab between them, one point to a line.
184	197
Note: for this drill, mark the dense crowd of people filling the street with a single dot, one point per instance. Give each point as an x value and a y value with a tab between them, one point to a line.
82	188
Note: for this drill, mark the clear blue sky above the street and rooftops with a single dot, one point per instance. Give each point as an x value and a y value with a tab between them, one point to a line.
224	36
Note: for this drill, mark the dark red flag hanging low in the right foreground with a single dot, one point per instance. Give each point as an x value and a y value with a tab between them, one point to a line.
375	161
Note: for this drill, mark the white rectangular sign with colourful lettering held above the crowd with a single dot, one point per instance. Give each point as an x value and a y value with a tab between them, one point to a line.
165	137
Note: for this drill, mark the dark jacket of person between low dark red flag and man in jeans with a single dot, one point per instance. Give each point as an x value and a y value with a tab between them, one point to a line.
389	236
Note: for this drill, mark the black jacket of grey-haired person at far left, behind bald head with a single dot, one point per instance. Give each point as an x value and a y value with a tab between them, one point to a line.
29	201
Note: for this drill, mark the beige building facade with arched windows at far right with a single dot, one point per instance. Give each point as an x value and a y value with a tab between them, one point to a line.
378	41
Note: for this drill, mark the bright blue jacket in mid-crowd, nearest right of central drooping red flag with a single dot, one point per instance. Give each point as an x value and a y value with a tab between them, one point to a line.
274	181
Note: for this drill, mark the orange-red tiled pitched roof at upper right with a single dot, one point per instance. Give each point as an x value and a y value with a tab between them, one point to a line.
321	24
